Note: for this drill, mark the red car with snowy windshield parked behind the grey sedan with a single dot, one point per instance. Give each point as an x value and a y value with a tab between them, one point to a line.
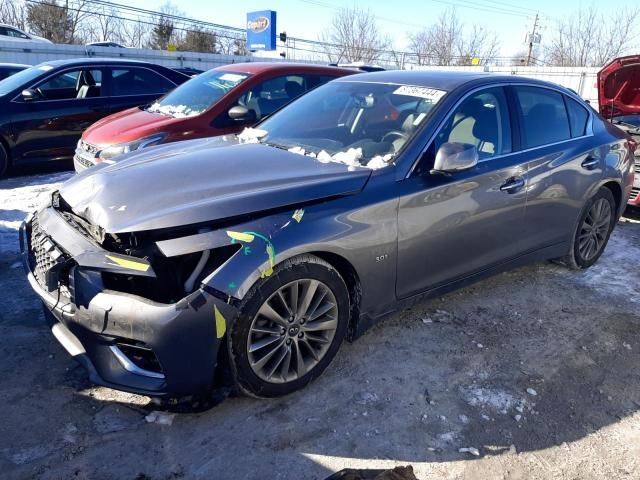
222	100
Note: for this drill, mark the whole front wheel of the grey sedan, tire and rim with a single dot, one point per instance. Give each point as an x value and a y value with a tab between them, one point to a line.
290	327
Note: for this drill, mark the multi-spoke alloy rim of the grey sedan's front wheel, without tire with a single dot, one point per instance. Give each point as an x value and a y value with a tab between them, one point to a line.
292	331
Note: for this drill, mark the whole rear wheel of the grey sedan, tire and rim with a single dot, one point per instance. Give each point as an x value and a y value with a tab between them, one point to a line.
593	230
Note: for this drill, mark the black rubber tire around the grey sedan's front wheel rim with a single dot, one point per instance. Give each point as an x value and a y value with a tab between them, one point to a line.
301	268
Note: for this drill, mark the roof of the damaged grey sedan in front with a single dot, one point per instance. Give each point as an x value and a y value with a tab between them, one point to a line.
442	79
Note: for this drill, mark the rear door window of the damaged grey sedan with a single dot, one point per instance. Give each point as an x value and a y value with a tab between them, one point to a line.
543	116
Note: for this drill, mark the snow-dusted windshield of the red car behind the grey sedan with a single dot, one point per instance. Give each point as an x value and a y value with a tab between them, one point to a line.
198	94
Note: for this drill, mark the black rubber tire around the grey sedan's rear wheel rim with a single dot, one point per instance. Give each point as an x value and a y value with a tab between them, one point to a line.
575	259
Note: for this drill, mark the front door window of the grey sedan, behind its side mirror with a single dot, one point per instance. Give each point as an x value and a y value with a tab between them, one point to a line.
481	120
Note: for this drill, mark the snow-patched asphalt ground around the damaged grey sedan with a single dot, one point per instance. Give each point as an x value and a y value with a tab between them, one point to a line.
537	369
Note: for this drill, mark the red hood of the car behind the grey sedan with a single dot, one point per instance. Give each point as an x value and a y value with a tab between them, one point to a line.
126	126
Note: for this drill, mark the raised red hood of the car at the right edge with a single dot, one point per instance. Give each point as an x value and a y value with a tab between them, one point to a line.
619	87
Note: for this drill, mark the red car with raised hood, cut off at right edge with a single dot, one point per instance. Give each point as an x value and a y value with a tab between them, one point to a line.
619	101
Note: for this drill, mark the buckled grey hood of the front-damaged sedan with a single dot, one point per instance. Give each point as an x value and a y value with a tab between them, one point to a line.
202	180
